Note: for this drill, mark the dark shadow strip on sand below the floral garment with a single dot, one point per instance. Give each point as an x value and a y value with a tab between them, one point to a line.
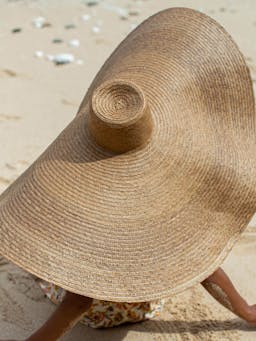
164	327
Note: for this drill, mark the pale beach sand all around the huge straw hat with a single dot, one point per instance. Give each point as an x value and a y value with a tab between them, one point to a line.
38	99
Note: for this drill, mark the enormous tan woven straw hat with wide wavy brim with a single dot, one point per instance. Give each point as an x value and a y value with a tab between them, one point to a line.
147	189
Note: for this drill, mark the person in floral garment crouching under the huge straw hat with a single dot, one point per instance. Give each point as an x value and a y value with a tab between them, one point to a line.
73	308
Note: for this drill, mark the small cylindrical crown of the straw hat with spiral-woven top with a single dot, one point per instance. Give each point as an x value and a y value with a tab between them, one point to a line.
120	118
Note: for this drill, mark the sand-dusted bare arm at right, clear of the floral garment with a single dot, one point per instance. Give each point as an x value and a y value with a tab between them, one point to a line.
221	288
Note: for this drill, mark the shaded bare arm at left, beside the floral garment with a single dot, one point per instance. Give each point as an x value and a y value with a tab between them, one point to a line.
67	314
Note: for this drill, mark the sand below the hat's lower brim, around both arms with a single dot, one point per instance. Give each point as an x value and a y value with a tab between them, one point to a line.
192	315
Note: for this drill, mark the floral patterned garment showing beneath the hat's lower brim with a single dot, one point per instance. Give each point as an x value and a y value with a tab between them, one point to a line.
105	314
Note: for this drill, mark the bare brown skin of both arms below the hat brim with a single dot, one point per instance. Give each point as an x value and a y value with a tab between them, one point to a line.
73	306
